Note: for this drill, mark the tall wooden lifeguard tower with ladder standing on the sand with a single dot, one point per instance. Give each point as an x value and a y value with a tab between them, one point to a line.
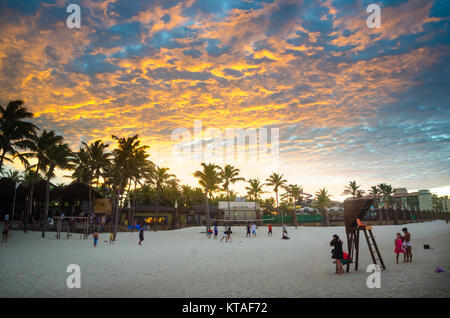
354	211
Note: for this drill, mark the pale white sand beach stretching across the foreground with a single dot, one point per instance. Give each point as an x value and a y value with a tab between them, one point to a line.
184	263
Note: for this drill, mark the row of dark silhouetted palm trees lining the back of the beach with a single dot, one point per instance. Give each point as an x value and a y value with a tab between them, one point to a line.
125	174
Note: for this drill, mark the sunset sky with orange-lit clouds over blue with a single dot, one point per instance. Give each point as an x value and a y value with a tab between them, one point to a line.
349	102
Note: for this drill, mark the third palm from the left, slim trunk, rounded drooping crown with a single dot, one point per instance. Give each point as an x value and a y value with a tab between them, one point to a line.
60	156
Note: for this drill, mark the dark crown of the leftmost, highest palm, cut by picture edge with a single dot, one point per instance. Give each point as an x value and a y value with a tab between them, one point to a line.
15	131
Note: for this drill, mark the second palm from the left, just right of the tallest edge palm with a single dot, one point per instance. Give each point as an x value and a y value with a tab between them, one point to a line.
38	147
